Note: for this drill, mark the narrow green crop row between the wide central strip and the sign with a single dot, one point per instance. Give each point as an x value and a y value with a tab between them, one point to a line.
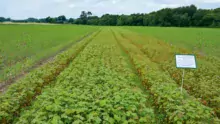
178	108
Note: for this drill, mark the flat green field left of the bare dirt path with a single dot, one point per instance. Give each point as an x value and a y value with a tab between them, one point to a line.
23	45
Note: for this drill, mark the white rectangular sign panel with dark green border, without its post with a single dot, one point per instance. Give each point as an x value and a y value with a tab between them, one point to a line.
185	61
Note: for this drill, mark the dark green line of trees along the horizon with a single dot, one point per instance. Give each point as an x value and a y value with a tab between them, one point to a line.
179	17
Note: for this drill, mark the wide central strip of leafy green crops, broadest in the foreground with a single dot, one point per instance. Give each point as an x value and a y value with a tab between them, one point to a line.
98	87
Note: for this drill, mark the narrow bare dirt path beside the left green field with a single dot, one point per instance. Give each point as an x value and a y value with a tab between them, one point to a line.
4	85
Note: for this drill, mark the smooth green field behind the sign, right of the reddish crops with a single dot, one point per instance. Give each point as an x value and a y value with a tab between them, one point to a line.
204	40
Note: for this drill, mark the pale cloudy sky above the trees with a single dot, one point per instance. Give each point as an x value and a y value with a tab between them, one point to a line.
20	9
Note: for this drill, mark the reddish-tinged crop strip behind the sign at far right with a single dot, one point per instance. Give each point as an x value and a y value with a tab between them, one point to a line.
202	83
